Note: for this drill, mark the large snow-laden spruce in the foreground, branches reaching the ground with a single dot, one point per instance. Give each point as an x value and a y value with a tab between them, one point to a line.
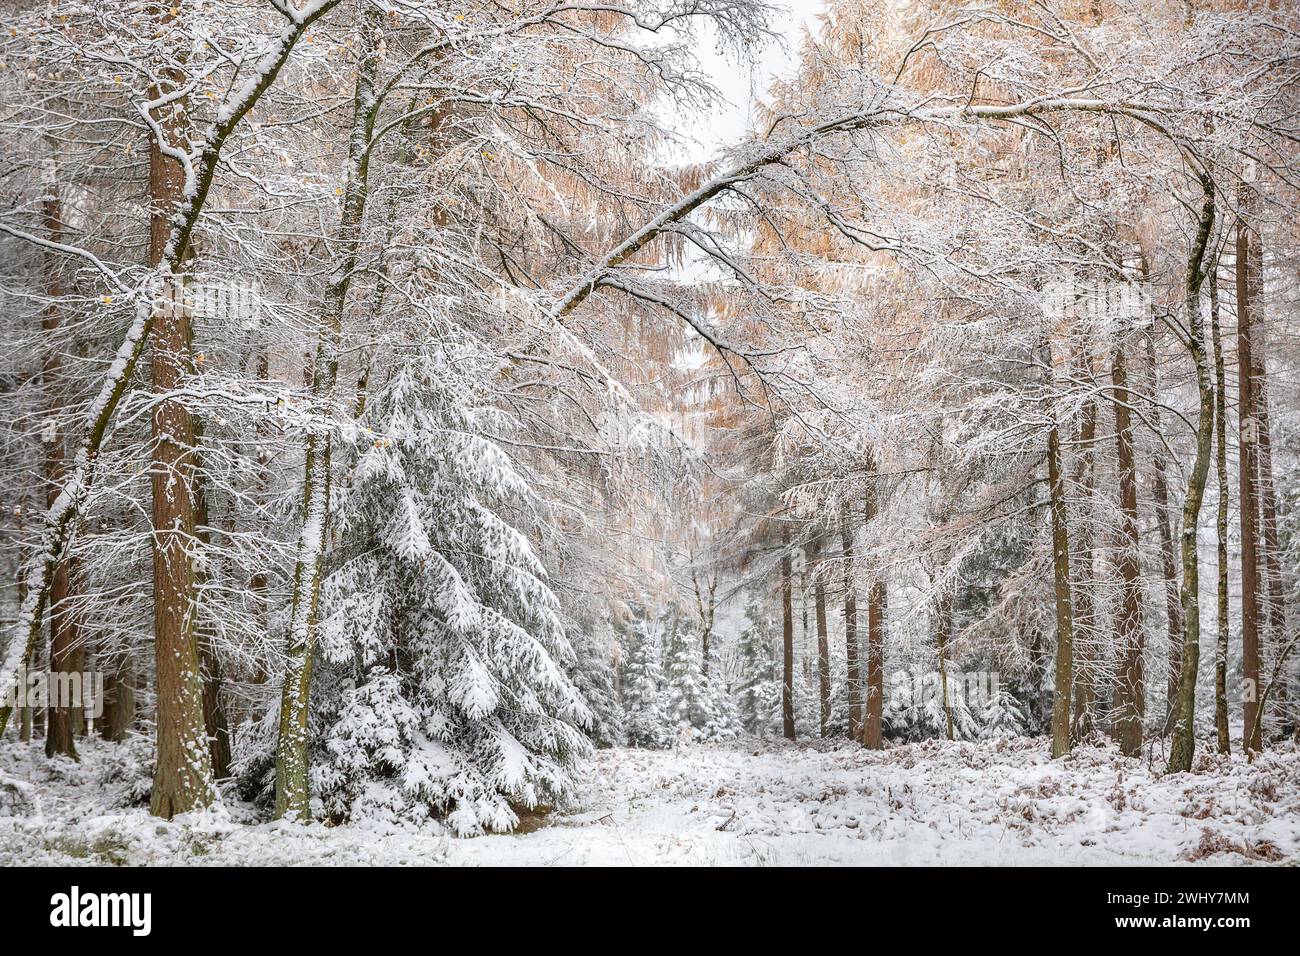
440	611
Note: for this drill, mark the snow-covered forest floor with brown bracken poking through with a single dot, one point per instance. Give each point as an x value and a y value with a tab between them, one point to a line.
743	803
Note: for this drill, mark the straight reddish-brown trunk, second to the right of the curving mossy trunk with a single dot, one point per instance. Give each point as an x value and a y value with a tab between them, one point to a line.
1247	296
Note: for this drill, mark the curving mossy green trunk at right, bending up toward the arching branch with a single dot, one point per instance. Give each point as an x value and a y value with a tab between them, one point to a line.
1184	747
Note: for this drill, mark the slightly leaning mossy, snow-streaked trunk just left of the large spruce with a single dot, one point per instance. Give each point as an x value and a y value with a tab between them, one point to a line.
292	751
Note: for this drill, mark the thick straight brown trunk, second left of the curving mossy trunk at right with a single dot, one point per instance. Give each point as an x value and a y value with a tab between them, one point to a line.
1130	704
